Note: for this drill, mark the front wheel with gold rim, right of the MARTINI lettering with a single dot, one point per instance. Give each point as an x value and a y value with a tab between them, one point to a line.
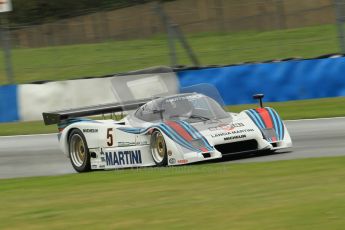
159	149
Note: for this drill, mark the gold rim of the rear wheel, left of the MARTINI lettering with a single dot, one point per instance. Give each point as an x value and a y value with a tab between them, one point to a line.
77	150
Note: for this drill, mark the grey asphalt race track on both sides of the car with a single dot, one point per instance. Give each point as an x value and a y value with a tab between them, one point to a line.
38	155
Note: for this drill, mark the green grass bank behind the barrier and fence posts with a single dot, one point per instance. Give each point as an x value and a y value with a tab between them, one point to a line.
73	61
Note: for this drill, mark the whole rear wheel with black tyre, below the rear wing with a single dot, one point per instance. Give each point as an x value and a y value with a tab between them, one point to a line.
78	151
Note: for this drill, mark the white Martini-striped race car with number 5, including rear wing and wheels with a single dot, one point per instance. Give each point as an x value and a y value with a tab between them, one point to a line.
163	131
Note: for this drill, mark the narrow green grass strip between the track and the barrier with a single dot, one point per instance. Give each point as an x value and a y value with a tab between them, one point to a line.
327	107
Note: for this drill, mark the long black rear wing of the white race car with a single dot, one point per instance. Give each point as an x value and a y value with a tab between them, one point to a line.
56	117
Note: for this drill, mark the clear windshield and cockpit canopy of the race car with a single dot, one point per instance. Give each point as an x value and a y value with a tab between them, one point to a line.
191	107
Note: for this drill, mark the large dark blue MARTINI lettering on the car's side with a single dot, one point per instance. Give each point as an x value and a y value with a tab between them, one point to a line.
123	157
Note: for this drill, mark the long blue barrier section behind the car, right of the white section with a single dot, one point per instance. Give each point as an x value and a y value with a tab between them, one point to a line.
281	81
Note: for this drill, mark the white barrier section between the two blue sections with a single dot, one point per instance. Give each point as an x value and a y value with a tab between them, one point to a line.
33	99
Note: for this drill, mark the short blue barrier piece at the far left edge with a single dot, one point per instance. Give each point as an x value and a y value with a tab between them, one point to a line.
8	103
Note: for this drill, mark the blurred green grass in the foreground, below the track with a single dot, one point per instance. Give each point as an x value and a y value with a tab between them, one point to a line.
299	194
